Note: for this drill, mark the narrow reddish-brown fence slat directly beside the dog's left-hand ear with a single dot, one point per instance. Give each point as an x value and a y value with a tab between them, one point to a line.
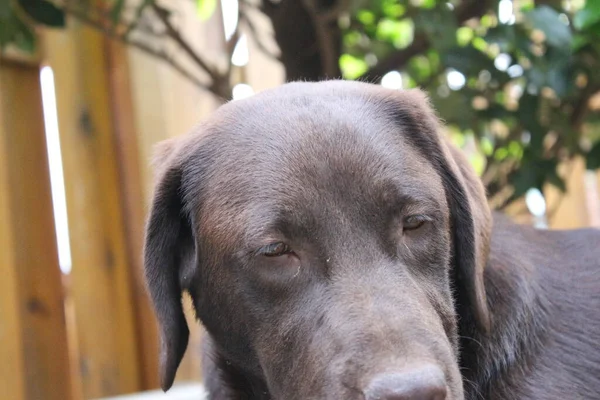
133	204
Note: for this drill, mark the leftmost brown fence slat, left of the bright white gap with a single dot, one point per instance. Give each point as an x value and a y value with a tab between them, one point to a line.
37	365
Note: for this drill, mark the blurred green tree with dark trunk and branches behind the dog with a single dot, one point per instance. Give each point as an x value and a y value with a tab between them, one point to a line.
516	82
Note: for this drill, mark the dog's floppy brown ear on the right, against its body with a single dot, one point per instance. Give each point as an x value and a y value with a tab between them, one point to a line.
470	216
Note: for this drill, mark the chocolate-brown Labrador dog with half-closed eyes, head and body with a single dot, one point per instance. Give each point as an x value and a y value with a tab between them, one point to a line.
337	246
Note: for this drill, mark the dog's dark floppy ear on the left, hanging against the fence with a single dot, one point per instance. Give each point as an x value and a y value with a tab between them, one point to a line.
169	249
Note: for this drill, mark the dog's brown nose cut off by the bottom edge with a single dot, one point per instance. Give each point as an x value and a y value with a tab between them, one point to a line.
420	383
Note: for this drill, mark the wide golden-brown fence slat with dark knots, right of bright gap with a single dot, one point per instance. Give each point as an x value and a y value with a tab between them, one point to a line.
100	278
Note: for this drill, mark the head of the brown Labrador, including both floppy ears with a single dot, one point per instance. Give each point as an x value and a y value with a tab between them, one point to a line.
328	237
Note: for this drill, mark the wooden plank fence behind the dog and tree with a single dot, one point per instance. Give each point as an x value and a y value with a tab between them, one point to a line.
91	333
